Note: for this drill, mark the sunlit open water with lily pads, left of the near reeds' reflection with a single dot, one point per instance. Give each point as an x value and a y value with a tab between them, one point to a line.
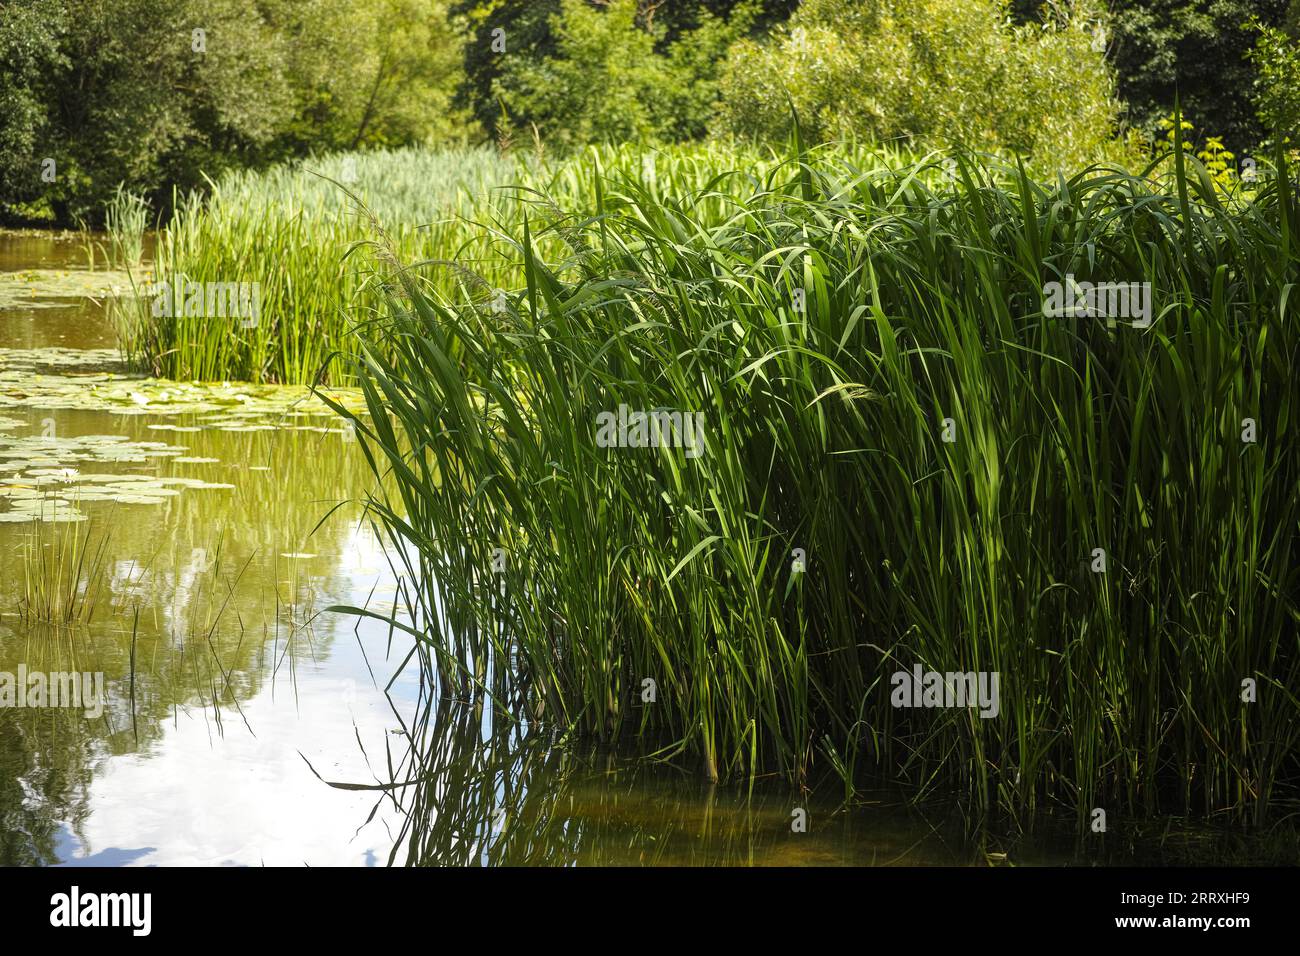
197	595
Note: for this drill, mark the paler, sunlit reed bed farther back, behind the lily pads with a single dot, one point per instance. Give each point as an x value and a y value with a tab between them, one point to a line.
293	230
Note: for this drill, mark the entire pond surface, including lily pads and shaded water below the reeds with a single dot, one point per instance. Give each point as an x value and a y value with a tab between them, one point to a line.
183	542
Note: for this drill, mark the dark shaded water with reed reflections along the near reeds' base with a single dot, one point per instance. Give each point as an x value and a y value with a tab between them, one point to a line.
471	789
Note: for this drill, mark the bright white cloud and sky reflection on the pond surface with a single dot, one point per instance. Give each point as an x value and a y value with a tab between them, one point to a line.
202	798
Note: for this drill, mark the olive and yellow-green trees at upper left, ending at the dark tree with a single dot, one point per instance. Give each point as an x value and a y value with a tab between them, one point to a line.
125	93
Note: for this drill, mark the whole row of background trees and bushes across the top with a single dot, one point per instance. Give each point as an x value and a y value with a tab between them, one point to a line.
124	92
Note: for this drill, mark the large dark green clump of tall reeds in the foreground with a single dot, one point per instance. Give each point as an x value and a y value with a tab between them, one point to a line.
825	431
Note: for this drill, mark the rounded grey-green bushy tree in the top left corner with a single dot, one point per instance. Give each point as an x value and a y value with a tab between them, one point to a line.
120	92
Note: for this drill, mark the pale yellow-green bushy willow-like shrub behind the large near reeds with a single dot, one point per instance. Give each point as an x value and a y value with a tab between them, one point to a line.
941	72
